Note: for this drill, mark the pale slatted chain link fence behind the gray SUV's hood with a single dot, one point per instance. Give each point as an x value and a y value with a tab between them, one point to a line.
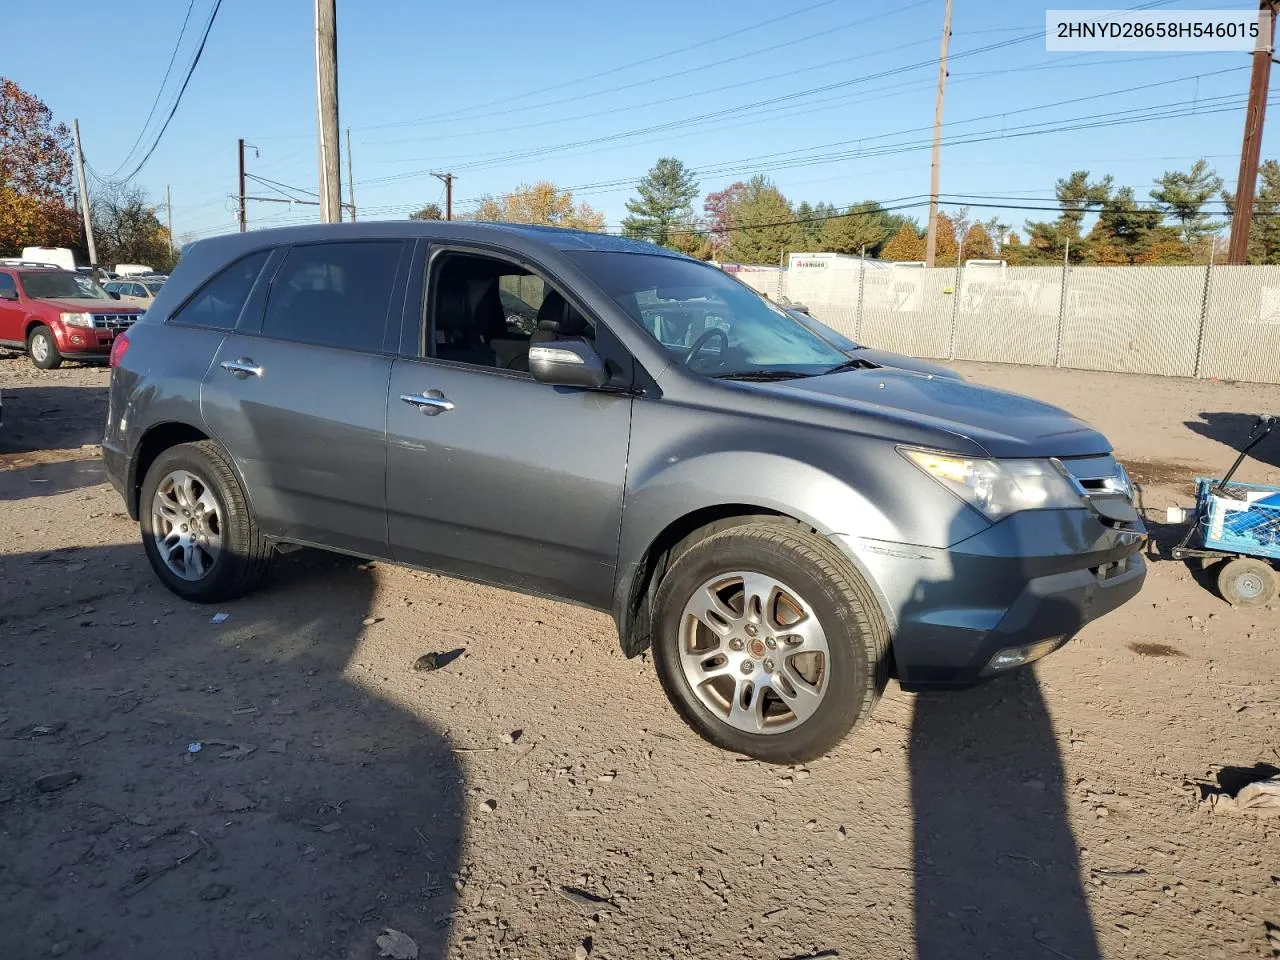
1200	322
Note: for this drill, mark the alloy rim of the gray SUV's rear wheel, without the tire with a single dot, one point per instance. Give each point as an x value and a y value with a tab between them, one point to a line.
188	525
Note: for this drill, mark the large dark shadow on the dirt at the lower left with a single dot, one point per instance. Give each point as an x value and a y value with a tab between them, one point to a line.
176	787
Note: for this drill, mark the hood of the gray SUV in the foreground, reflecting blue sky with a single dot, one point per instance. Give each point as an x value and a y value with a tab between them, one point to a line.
1003	424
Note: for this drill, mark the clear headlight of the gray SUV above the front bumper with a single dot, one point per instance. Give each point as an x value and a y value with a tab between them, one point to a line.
999	487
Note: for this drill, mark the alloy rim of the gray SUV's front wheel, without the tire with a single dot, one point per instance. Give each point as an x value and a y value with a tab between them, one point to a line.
755	653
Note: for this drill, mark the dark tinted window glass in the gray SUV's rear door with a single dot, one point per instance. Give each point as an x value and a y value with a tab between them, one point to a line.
333	295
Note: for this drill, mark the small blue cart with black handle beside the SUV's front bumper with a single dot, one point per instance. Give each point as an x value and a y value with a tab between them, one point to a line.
1241	524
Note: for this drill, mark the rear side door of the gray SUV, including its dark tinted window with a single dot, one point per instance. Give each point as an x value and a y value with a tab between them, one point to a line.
298	392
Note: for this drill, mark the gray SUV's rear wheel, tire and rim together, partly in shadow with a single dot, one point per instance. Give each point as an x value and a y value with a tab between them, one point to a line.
196	572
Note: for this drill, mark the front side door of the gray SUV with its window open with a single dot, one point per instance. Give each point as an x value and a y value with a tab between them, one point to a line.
492	476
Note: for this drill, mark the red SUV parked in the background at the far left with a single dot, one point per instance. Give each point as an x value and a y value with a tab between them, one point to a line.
57	316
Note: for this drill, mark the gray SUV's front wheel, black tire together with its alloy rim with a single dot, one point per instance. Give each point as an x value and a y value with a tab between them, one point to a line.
803	574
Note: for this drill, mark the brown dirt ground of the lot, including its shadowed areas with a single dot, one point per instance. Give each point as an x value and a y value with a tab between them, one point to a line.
537	798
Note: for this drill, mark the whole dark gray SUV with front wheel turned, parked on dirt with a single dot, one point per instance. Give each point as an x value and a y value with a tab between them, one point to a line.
785	527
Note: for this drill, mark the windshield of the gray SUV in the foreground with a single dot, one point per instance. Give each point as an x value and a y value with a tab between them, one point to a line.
706	319
